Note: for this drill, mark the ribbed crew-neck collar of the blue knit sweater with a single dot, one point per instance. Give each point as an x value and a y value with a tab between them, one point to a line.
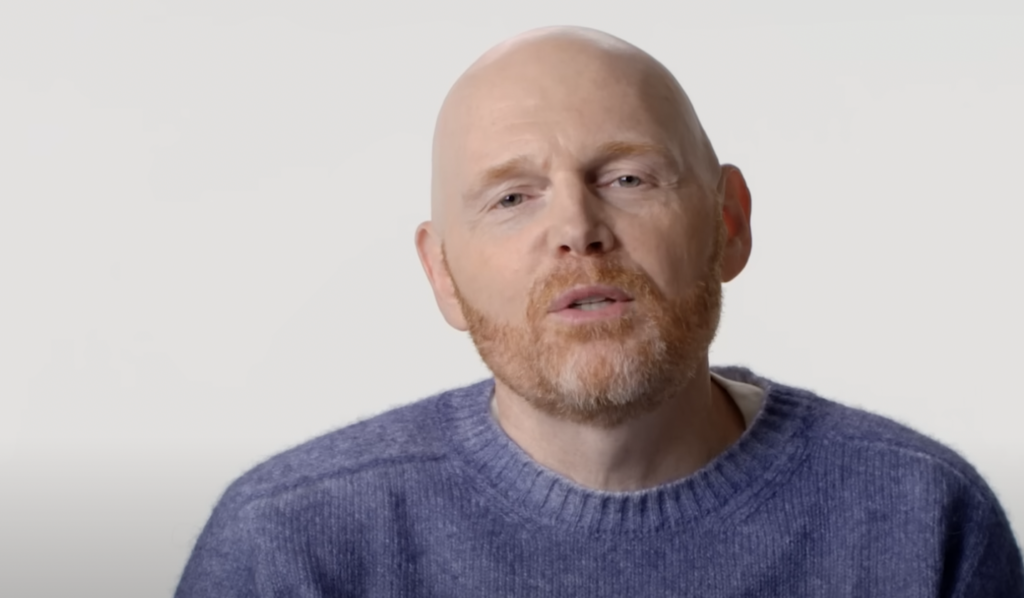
770	448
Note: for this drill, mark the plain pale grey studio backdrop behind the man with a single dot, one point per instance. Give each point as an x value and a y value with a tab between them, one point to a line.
206	236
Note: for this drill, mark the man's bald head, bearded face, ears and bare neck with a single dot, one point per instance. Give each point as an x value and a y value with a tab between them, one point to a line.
600	173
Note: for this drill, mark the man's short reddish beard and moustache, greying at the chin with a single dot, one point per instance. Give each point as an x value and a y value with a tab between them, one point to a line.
610	371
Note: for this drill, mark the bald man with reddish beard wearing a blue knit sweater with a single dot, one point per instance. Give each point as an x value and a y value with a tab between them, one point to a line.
581	230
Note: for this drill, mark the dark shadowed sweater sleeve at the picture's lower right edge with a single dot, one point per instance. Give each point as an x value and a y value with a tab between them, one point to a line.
997	569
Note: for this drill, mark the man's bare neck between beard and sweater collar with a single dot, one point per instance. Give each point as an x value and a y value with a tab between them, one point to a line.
694	424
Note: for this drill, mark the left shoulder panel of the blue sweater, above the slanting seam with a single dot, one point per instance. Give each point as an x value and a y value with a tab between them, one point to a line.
403	437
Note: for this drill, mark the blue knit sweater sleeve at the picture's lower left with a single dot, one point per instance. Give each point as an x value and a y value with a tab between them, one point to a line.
222	565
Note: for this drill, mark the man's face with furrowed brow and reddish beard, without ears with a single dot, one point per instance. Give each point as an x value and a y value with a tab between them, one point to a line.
581	182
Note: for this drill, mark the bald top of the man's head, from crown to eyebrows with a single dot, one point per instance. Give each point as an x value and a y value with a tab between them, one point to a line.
553	73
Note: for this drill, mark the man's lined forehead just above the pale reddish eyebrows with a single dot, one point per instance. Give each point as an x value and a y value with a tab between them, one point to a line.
534	109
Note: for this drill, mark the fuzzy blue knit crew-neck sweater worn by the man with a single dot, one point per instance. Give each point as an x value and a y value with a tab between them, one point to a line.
433	499
